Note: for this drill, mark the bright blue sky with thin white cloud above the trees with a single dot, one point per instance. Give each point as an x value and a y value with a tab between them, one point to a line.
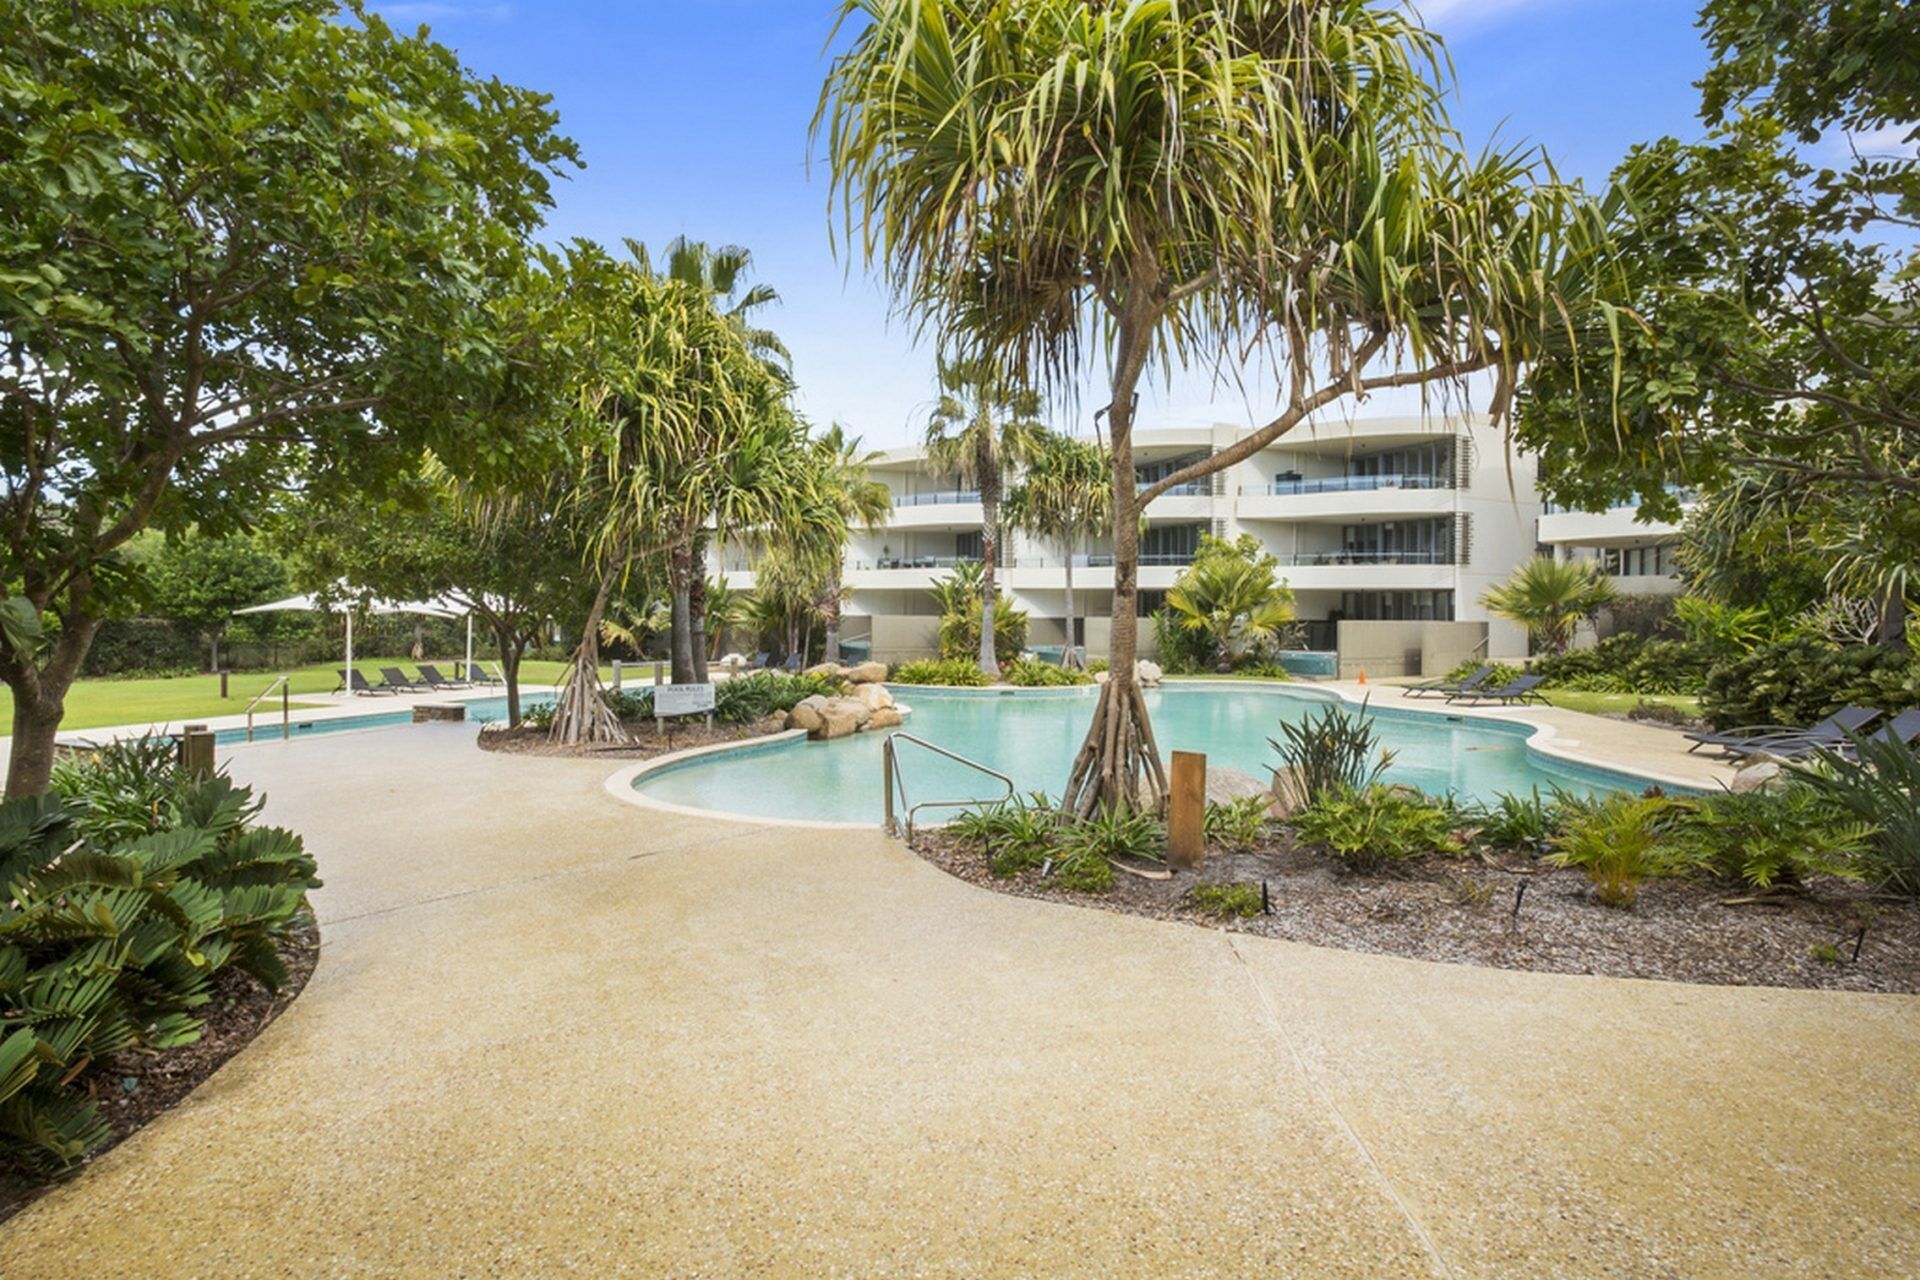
692	116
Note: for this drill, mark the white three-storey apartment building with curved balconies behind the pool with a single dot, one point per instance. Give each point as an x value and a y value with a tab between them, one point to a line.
1389	531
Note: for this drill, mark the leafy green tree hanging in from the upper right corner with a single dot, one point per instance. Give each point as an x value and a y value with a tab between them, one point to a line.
1775	335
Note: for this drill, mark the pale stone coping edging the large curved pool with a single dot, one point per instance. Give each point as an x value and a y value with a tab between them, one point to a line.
1541	742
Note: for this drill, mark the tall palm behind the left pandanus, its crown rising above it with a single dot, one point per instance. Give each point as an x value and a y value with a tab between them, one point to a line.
721	275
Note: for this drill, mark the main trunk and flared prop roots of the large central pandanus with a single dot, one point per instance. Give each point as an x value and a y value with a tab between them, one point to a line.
1118	767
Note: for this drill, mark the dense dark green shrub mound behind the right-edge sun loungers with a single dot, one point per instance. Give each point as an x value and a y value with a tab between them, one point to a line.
1802	680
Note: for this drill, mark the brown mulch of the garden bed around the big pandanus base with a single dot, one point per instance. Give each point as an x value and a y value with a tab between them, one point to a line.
1462	911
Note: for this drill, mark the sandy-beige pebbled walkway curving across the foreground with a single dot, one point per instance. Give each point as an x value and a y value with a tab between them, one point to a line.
558	1033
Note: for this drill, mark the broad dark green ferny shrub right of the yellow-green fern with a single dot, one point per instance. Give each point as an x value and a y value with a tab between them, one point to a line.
1769	838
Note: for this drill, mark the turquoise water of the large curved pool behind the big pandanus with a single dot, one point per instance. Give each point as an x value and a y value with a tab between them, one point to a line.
1034	736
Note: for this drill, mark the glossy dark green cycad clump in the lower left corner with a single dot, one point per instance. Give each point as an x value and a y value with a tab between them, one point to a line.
116	928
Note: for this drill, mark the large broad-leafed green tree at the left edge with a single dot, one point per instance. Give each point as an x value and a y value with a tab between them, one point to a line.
243	243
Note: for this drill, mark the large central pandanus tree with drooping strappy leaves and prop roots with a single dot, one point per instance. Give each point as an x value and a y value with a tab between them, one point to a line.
1176	181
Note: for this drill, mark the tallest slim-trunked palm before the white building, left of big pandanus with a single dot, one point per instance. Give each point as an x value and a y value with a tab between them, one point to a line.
982	427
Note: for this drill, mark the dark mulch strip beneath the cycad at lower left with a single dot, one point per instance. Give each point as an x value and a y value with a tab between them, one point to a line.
139	1085
